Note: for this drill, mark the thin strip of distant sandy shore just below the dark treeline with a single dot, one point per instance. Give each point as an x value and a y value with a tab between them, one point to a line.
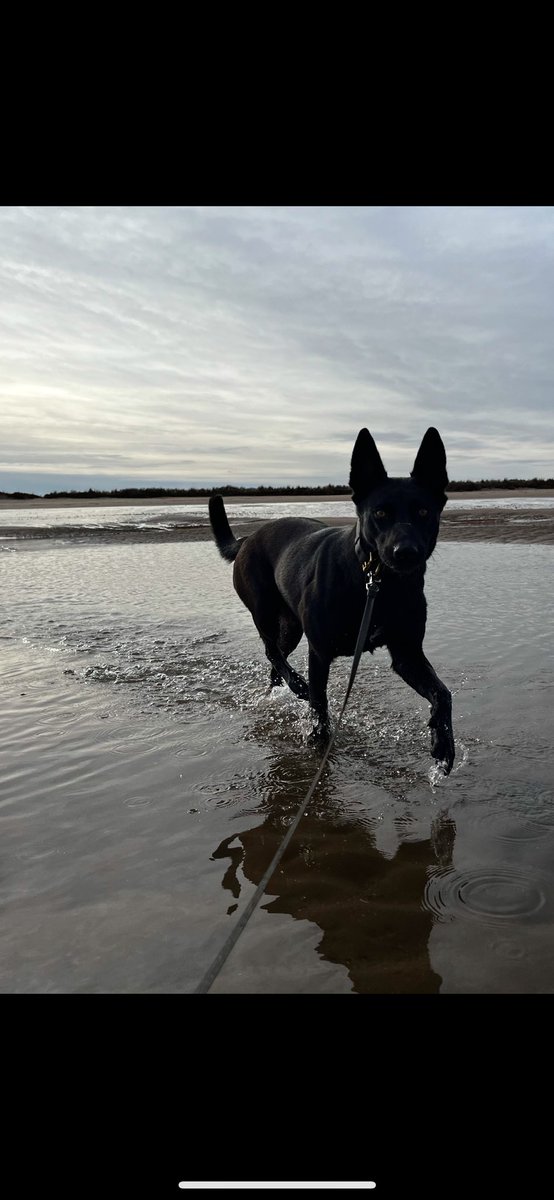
100	502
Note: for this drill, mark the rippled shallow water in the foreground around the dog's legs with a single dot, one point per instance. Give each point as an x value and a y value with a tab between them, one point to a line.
148	777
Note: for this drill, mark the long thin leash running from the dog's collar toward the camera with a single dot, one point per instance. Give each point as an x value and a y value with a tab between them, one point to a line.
372	589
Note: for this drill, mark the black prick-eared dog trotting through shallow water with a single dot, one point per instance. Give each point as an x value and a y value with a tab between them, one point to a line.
300	577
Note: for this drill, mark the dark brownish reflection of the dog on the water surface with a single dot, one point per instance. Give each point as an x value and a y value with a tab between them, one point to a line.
369	904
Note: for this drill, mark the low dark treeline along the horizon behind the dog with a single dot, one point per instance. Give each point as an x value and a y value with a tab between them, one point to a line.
138	494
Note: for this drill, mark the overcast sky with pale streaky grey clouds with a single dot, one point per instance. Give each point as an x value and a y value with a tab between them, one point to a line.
191	345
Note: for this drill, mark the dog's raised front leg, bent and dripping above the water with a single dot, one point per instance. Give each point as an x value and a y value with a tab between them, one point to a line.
413	667
